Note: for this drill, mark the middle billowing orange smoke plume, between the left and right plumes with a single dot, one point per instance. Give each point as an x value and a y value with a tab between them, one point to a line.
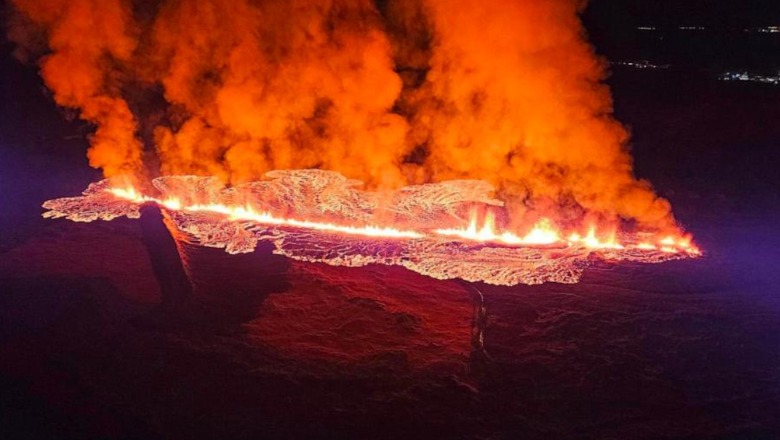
279	84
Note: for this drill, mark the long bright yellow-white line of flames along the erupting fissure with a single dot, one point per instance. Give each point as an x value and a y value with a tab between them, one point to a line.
543	233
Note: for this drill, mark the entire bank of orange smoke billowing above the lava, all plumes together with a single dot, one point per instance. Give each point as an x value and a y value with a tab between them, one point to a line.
392	92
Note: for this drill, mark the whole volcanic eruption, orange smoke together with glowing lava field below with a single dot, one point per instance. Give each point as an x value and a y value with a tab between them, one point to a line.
481	131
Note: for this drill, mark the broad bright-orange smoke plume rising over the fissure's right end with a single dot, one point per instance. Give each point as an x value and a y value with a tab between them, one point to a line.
514	95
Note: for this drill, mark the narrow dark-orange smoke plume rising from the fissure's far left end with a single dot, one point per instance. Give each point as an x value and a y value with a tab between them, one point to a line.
86	39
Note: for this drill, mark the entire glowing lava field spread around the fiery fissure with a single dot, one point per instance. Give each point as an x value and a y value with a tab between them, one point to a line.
315	215
